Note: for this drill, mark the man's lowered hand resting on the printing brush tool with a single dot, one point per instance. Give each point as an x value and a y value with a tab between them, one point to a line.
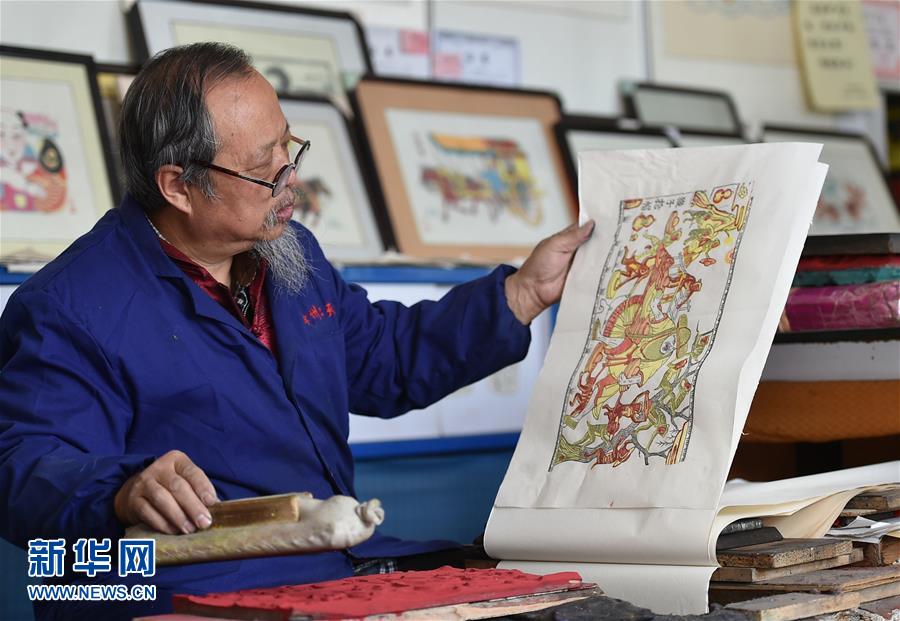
171	496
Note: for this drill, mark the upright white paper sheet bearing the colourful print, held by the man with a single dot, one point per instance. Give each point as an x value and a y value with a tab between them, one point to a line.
667	313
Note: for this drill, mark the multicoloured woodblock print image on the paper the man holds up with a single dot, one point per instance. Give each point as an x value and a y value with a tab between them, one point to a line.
654	321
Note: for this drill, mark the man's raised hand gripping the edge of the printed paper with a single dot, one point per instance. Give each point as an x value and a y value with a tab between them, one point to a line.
539	282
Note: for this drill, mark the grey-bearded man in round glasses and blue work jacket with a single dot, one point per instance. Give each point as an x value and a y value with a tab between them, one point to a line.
196	344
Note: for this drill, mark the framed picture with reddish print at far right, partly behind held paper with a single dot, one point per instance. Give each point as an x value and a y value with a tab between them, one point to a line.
855	197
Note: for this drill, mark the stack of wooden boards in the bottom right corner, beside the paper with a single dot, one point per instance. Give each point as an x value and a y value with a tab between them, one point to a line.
784	579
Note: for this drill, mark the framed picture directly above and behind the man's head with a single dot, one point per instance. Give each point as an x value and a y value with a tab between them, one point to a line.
300	51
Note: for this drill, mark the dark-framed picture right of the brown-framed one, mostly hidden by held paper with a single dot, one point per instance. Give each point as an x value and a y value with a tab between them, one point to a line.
592	133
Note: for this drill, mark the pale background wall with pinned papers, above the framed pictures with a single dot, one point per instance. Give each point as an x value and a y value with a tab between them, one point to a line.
580	49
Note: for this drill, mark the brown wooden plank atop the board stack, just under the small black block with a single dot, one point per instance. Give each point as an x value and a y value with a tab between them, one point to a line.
784	553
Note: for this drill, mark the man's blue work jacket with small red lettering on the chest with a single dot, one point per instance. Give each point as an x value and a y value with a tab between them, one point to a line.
111	357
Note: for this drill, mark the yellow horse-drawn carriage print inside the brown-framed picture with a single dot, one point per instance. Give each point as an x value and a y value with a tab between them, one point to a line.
501	180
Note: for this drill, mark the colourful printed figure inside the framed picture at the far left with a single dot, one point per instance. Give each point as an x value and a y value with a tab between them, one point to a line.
32	172
